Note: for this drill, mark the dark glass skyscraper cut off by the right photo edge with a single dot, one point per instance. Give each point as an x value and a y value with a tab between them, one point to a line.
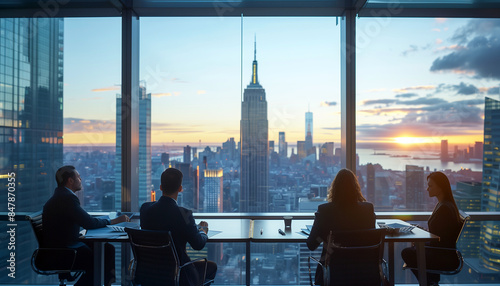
490	198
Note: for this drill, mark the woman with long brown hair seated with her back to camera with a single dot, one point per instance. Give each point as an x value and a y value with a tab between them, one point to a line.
346	209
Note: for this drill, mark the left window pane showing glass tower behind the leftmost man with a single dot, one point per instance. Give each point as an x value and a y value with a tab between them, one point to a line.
53	112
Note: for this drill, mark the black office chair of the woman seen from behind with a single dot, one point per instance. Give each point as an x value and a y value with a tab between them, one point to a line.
353	258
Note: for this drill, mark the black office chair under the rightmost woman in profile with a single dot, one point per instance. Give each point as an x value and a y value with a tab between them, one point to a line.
442	251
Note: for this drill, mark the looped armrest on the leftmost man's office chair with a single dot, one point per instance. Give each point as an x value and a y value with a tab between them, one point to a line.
55	260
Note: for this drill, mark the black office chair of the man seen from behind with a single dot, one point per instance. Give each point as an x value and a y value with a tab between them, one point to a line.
156	261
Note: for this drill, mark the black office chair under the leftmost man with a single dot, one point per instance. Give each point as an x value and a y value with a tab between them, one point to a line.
51	261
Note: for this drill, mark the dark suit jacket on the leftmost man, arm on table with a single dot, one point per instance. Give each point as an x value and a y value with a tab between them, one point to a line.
62	218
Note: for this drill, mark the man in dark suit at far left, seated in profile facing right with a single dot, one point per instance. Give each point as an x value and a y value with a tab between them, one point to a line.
62	218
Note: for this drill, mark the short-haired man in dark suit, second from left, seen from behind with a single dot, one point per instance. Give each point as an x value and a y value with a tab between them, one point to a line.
166	215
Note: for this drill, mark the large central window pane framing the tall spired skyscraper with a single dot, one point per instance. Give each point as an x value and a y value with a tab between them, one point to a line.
213	81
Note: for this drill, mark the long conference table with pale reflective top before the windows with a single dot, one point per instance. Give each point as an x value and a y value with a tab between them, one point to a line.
250	231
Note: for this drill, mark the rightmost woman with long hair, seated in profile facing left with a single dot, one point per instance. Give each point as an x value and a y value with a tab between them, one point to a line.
444	222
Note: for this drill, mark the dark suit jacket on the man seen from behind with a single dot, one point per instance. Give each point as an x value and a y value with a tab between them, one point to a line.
166	215
